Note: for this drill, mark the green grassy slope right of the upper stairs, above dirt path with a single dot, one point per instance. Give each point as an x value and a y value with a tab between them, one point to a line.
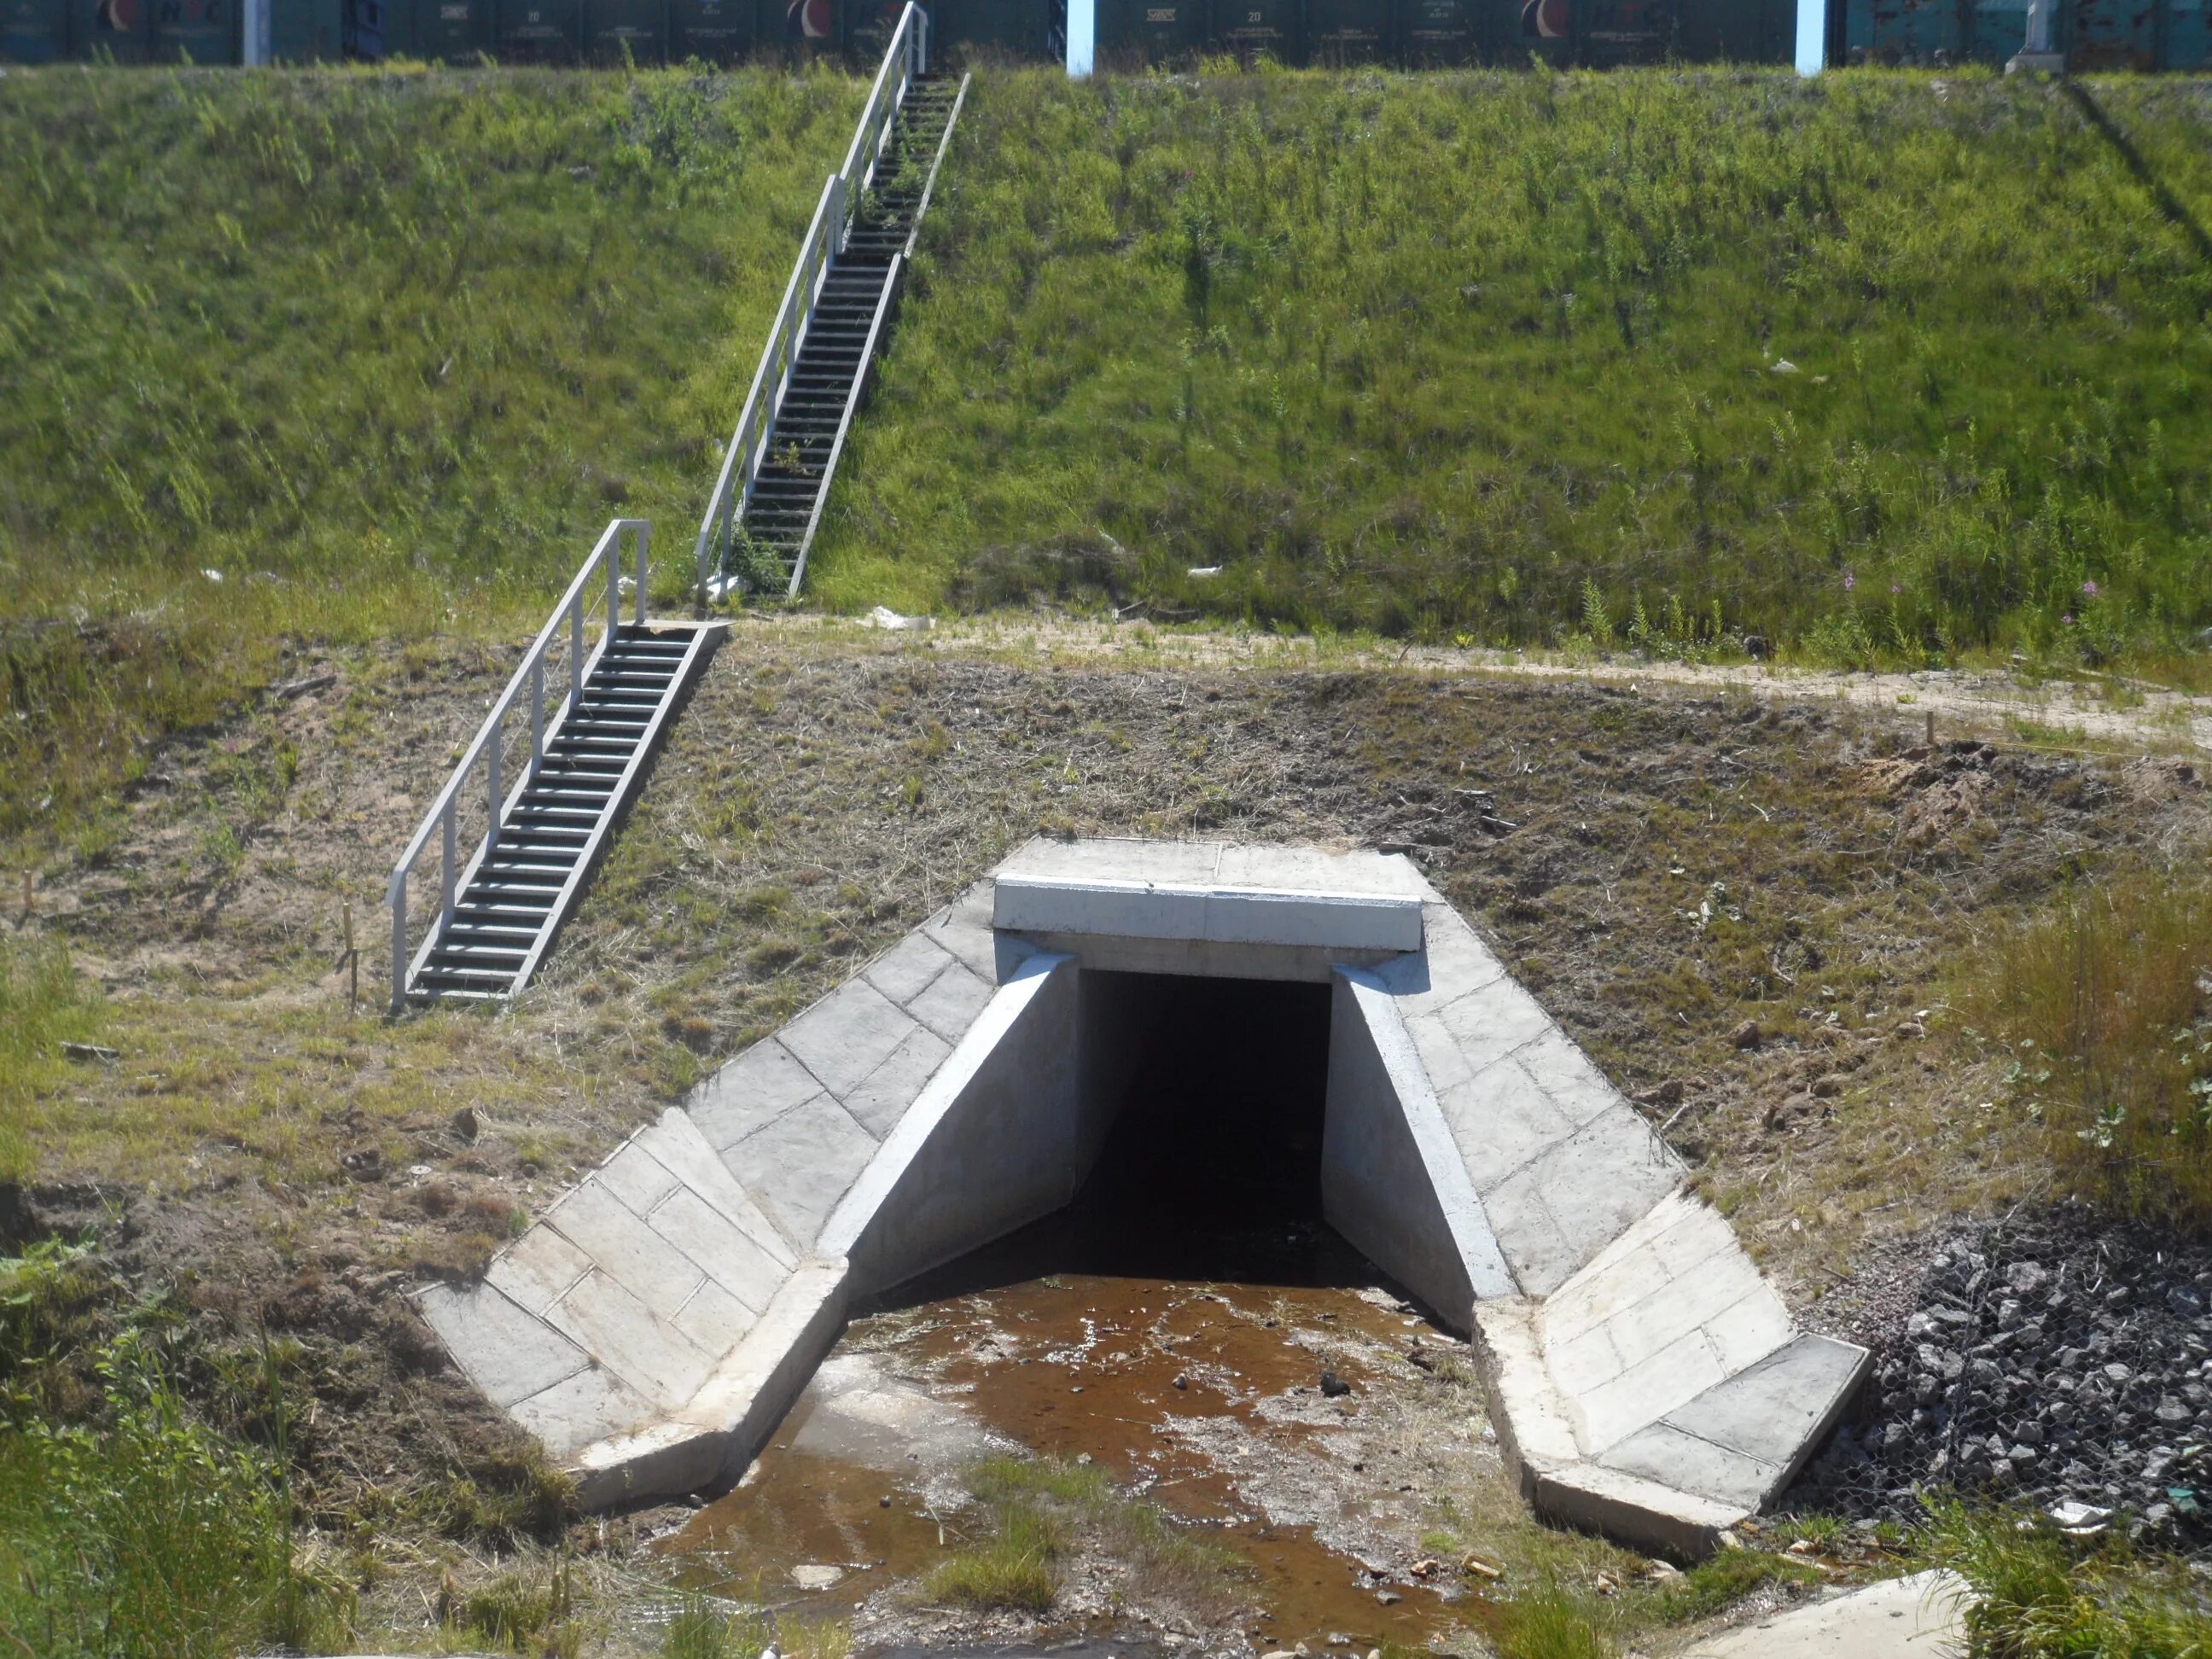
1875	366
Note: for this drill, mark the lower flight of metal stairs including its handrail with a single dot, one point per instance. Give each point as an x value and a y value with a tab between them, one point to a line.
576	769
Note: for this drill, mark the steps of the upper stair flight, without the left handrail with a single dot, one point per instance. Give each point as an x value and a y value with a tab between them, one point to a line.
846	333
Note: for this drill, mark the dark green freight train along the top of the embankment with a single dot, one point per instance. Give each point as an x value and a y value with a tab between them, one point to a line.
1129	34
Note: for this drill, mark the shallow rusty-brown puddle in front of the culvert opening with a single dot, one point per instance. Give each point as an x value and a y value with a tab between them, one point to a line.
1087	1366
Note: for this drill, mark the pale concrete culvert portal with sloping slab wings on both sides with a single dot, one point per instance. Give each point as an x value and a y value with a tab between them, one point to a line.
1645	1377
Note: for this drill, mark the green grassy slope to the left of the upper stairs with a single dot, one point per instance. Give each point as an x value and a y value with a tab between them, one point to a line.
382	351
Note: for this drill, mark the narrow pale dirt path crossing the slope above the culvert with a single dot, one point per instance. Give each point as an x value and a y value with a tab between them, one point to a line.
2091	711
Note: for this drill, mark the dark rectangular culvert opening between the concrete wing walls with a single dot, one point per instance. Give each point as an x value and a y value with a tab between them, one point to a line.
1202	1116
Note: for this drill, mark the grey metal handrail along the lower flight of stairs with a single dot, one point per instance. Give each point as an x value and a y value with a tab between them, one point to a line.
576	609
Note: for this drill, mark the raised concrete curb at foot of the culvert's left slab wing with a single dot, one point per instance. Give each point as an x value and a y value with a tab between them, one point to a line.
735	1410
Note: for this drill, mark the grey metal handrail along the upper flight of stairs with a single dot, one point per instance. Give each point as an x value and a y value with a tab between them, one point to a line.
904	59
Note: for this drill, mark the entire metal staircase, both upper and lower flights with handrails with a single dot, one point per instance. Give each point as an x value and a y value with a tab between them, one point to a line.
585	753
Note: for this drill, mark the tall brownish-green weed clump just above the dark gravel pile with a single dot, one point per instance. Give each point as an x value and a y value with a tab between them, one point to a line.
2105	1008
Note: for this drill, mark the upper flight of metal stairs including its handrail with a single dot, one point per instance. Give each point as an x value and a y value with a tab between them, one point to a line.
820	359
